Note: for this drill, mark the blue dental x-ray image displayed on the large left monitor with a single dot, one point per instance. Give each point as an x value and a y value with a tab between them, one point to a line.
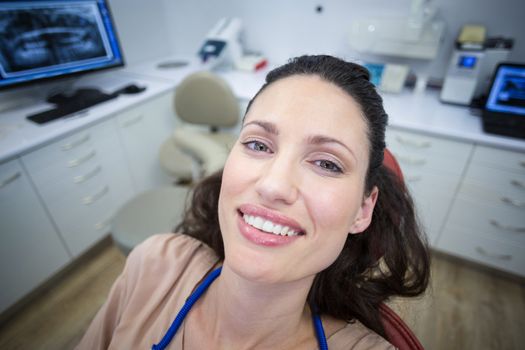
42	37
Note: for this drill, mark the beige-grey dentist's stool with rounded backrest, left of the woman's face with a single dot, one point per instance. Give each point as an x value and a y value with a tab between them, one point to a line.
205	102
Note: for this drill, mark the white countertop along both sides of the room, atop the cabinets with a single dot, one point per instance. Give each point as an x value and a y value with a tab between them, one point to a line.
415	111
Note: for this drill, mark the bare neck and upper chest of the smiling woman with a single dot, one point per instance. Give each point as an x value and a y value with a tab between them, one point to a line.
241	313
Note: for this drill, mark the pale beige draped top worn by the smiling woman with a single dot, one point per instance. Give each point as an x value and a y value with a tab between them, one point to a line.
158	276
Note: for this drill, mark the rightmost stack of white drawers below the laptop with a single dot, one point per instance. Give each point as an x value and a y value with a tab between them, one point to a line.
487	220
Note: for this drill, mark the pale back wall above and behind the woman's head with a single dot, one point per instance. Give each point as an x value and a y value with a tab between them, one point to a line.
284	28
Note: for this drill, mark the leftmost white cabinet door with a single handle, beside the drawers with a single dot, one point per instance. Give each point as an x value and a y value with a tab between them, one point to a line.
30	247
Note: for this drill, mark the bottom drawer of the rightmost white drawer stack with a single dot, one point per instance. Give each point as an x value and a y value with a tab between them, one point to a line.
483	250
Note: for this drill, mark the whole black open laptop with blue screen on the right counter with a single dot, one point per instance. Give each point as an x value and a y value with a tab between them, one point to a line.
504	111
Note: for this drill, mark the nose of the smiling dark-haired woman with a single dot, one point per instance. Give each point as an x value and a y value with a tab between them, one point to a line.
278	182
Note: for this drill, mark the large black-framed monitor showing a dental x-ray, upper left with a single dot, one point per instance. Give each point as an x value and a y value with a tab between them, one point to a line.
47	39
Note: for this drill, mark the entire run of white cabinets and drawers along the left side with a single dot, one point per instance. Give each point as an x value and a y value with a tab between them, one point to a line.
57	201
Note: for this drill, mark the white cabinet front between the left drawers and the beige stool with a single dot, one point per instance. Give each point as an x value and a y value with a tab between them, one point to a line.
142	131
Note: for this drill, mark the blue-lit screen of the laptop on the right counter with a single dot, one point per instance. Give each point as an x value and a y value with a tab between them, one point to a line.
507	93
